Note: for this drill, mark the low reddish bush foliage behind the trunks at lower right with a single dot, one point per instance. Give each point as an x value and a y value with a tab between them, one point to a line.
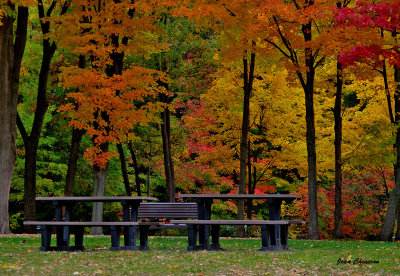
364	203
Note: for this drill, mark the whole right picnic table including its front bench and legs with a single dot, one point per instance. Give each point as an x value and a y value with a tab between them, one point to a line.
273	242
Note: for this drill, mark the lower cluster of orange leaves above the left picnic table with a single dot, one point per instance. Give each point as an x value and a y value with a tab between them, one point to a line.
115	96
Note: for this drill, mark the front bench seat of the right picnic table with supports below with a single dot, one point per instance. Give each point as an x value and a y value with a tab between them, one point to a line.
269	228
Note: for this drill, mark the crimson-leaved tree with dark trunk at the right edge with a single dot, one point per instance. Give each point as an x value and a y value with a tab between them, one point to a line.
386	17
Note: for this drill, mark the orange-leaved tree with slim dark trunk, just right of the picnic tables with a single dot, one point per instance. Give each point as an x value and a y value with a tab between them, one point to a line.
293	28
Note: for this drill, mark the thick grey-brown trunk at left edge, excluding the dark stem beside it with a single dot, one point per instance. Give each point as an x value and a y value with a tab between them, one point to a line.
8	108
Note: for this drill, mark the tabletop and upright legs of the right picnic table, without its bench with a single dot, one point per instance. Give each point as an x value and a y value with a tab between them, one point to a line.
205	201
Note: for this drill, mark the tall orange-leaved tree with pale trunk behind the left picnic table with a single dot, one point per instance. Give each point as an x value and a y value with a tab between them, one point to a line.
110	95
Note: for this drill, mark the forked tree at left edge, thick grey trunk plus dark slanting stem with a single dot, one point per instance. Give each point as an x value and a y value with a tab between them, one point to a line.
11	53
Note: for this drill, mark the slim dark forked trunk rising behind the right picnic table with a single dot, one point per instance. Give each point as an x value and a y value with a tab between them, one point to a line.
244	151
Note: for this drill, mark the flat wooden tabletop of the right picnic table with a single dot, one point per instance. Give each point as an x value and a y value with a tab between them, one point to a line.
239	196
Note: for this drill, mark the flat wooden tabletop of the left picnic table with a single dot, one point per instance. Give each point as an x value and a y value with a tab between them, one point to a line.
97	198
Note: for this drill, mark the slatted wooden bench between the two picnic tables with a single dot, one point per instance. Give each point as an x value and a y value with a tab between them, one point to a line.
168	210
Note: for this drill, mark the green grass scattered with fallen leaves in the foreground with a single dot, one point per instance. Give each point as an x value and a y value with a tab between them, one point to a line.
19	254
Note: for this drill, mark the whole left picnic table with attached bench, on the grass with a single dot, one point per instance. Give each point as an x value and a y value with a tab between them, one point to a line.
130	205
